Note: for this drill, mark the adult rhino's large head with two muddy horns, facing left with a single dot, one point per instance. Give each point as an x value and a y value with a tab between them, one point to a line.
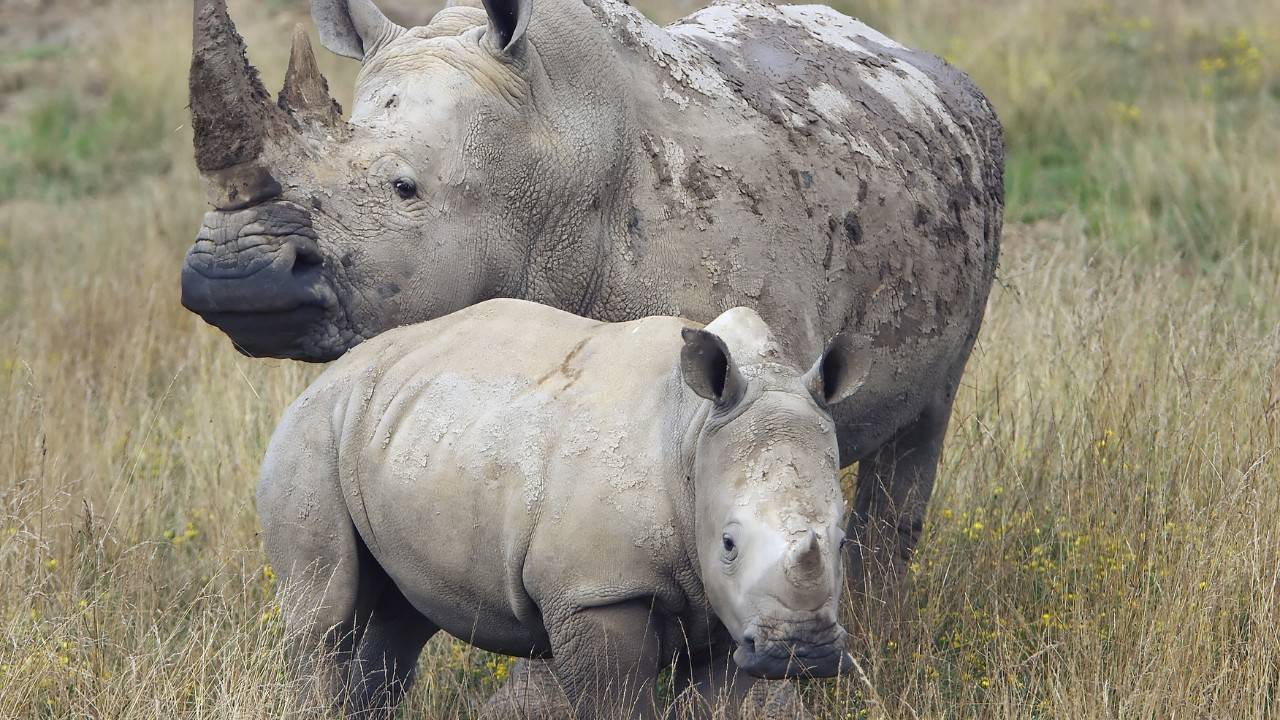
465	149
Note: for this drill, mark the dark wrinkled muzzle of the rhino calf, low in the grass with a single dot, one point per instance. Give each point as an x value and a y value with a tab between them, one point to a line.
785	651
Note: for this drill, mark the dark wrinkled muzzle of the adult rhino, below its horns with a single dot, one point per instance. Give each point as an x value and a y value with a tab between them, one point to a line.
258	275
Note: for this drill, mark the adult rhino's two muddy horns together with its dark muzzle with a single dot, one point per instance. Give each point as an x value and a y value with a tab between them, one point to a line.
257	271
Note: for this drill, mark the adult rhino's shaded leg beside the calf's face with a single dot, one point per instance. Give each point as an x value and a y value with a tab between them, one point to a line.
893	494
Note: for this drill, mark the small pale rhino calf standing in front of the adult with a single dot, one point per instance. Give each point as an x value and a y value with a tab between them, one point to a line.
616	498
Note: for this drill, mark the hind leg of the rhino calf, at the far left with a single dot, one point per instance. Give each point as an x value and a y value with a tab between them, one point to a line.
353	639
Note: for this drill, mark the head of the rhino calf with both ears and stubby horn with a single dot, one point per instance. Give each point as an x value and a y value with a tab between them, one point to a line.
769	503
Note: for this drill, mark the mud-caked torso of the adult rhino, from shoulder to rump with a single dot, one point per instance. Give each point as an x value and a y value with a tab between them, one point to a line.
860	185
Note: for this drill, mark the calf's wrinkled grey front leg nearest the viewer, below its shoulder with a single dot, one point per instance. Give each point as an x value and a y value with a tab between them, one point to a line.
607	660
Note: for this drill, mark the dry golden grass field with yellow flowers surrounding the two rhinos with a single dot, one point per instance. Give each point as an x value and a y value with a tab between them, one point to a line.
1104	539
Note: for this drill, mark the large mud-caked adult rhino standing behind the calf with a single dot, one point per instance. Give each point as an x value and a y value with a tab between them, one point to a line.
784	158
